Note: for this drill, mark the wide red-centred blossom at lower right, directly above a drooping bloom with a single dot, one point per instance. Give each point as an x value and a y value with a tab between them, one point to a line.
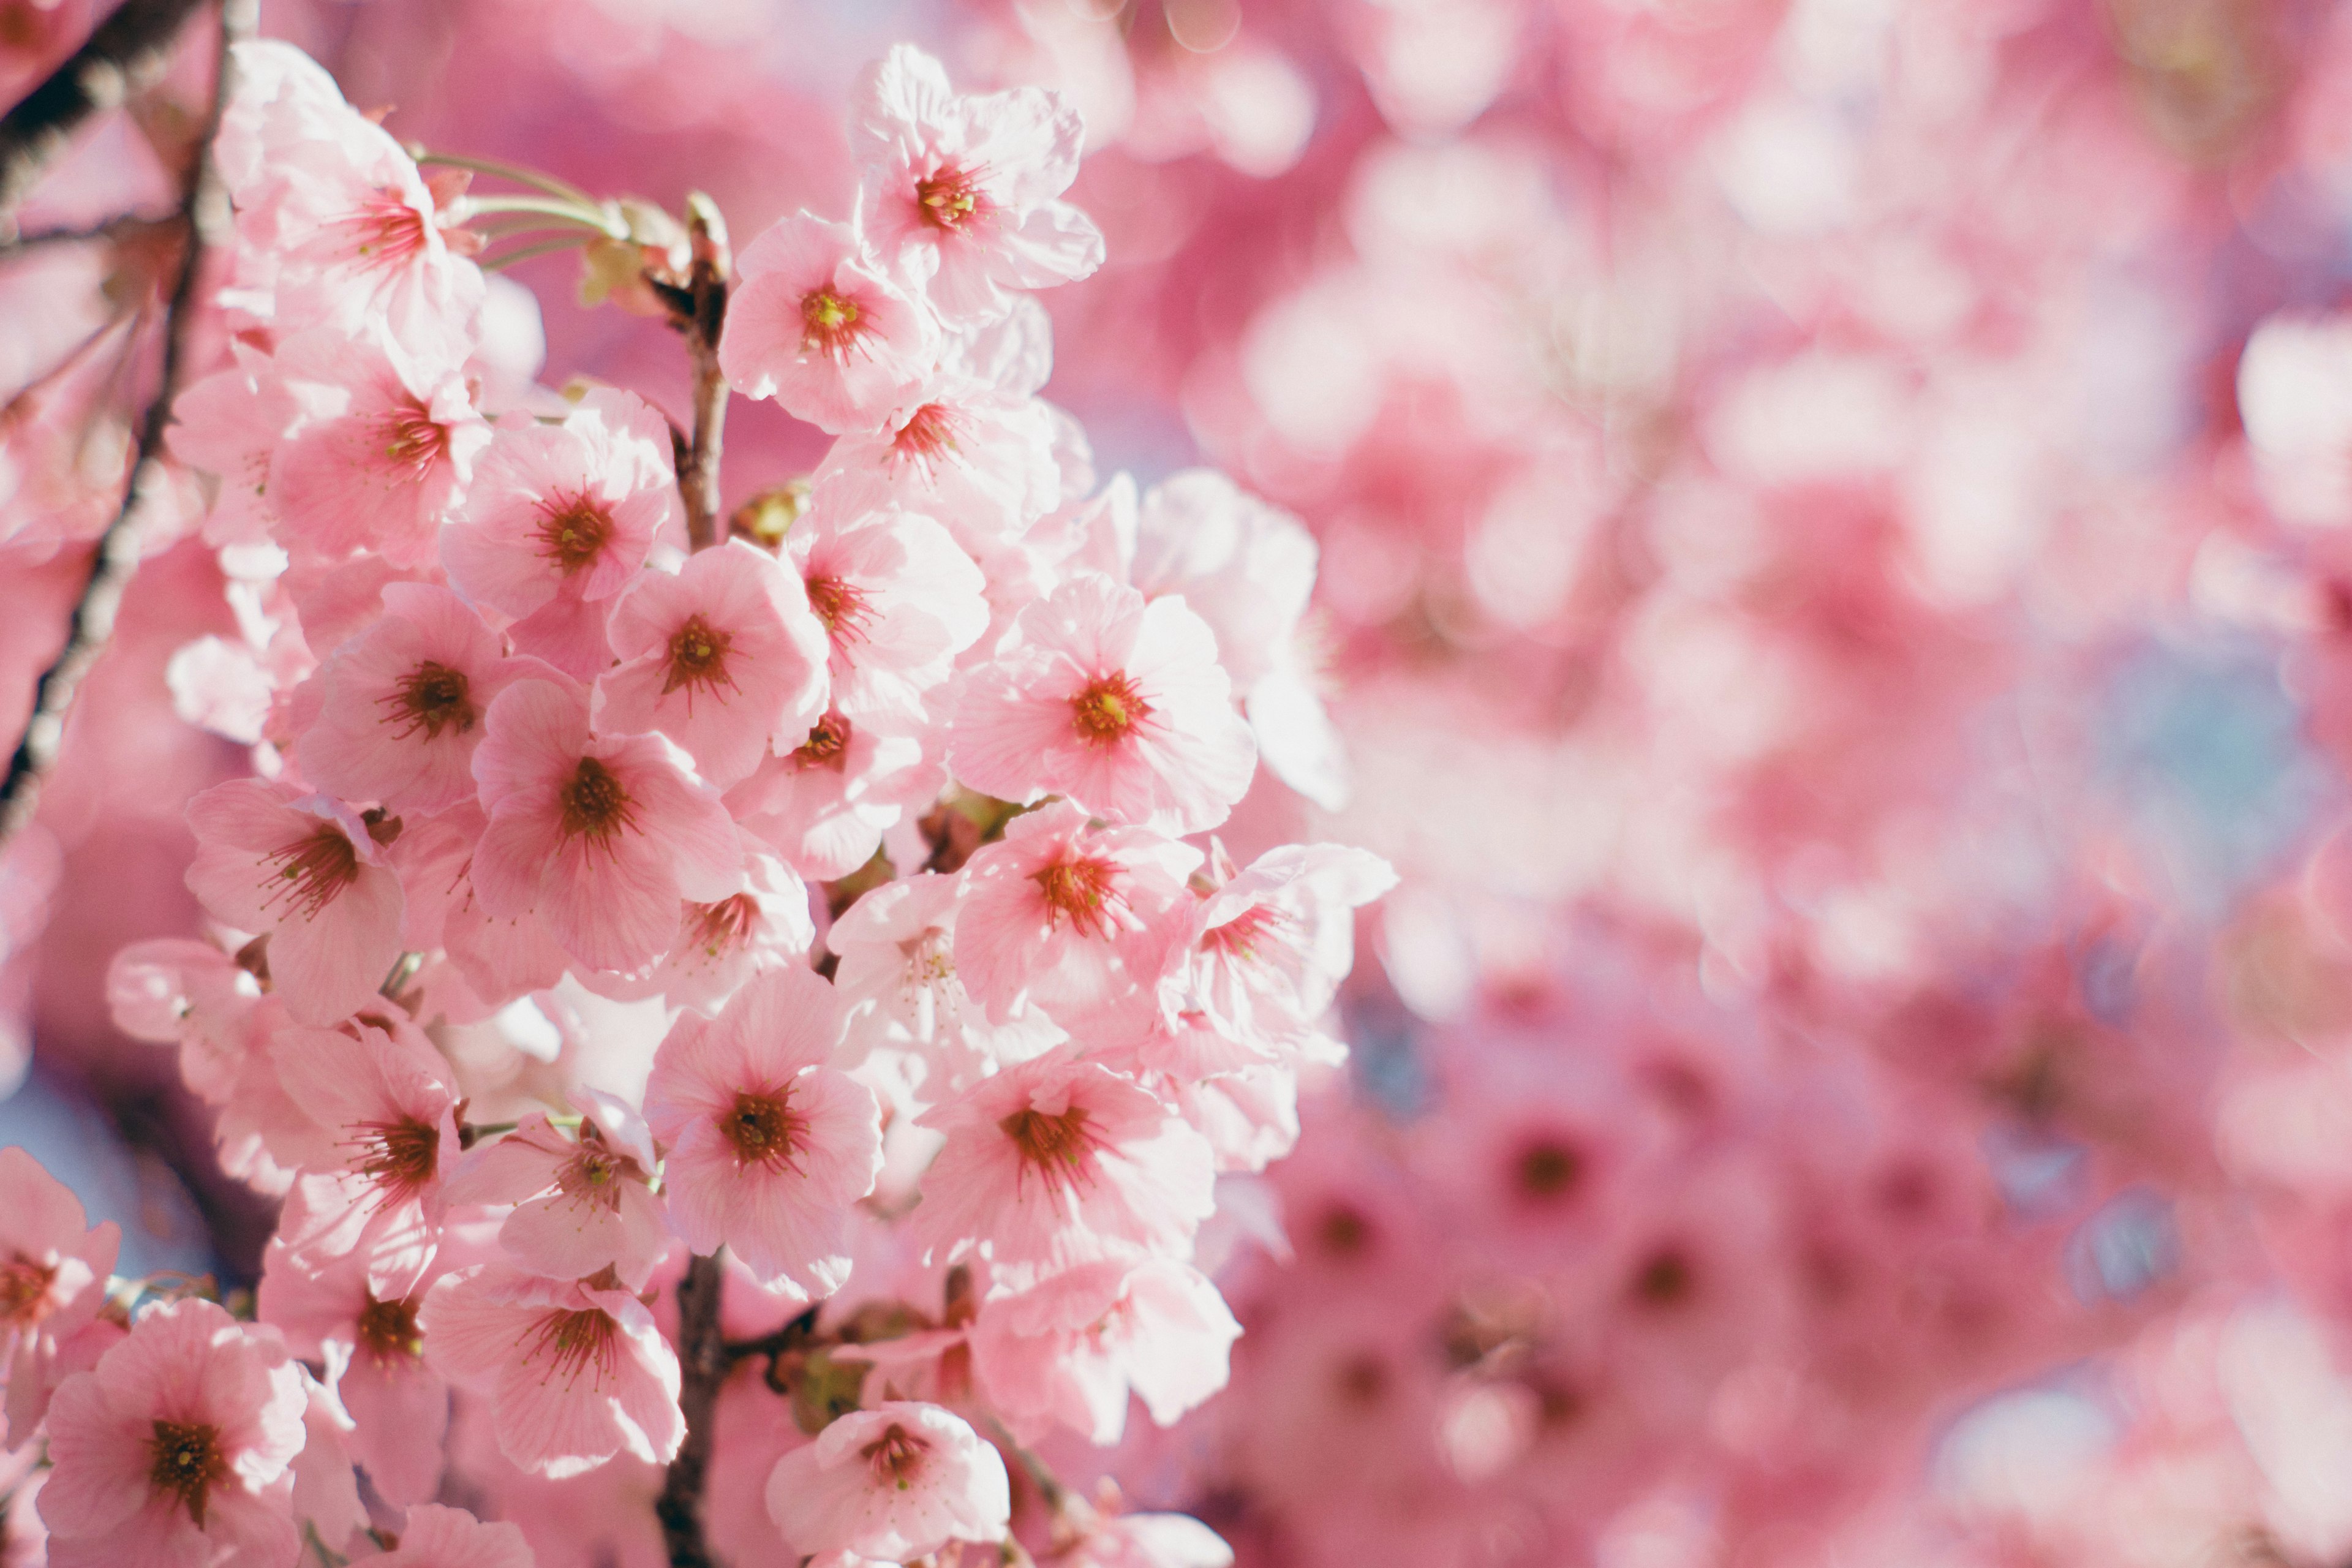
1060	1162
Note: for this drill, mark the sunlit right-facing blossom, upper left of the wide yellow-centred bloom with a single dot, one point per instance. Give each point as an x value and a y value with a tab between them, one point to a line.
897	601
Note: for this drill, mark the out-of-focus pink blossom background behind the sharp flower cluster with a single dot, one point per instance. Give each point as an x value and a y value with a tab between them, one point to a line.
1836	596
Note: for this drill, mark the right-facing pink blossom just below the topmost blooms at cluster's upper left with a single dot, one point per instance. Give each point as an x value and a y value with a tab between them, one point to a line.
387	445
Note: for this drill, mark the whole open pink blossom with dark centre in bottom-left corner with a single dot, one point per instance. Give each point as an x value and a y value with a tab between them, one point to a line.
178	1447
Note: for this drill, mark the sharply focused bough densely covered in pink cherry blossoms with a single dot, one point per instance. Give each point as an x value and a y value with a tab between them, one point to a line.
674	965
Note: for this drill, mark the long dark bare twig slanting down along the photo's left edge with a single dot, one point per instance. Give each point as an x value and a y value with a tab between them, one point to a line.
203	215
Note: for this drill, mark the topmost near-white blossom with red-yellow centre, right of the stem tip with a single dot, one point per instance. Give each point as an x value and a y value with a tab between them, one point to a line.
965	189
